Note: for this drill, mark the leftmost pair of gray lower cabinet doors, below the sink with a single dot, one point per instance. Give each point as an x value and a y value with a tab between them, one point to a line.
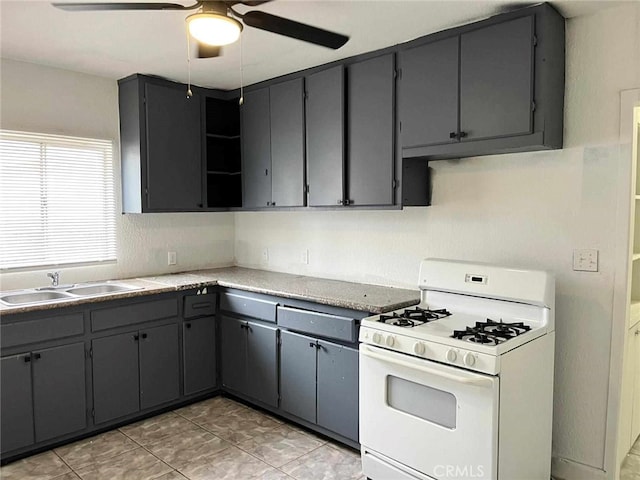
43	395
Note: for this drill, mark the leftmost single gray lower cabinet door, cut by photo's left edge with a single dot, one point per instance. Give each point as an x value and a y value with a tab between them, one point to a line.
16	402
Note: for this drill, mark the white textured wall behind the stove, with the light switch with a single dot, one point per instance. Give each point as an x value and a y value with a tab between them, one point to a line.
528	210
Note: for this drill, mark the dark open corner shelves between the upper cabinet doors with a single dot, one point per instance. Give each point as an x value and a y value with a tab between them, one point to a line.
223	165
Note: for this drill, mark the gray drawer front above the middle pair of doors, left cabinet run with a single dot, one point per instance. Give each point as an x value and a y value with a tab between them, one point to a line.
132	314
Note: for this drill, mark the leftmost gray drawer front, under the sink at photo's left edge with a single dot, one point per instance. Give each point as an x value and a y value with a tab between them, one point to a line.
43	329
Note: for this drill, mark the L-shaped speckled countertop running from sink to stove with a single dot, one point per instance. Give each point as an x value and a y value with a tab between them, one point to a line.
356	296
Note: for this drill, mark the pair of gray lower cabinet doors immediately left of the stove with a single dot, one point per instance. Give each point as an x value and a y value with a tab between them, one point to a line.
319	382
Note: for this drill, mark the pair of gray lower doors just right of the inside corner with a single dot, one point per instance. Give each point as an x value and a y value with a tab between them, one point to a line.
249	359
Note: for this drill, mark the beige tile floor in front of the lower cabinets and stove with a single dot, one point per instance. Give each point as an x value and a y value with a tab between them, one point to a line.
214	439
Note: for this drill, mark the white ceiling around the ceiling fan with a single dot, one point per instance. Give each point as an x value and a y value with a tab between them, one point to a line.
117	44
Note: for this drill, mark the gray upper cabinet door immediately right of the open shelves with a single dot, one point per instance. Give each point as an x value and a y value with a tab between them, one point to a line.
256	149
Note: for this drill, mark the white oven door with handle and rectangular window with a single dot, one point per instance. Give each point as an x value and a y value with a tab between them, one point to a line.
438	420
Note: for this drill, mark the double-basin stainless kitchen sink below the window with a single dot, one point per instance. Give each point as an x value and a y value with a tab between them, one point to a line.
63	292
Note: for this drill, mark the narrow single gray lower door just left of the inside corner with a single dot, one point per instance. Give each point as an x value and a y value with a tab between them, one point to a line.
198	343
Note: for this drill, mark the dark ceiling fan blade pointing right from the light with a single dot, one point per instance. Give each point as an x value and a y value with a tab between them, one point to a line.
289	28
